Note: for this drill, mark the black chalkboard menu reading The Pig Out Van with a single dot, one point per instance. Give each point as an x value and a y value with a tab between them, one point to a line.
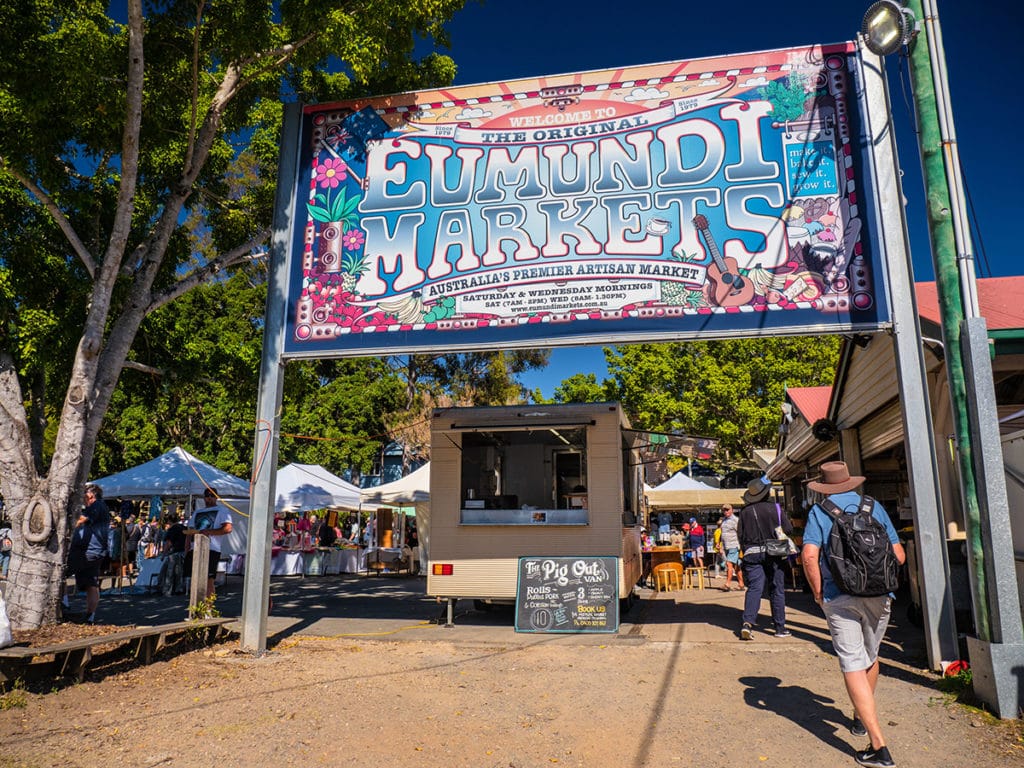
568	594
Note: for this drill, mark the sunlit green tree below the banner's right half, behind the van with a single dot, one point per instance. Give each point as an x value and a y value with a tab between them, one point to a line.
727	390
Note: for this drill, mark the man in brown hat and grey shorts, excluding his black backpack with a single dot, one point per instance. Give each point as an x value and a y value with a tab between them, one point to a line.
857	624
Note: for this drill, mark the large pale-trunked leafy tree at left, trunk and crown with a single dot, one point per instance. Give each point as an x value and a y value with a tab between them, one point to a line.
134	146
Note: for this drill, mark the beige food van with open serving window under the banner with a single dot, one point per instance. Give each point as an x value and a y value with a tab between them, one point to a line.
530	481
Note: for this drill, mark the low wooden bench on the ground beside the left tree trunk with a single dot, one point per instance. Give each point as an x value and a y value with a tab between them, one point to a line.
73	658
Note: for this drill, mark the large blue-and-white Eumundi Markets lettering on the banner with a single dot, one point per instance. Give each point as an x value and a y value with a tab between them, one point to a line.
468	208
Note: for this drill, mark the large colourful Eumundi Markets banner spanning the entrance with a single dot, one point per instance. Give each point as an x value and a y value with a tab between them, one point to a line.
721	197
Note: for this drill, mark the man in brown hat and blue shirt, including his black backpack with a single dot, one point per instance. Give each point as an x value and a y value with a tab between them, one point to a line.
851	557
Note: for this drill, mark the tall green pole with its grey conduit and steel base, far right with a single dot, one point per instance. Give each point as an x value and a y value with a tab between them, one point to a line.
998	652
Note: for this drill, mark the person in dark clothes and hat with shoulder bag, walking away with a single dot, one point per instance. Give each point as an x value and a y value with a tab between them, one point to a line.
758	521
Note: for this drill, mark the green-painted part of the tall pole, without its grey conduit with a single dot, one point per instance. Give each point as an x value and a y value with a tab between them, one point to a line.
941	229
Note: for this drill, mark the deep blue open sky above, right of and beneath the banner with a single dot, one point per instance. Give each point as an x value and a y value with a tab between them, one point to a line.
505	39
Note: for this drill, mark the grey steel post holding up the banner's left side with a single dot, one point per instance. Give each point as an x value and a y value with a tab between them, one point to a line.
272	376
